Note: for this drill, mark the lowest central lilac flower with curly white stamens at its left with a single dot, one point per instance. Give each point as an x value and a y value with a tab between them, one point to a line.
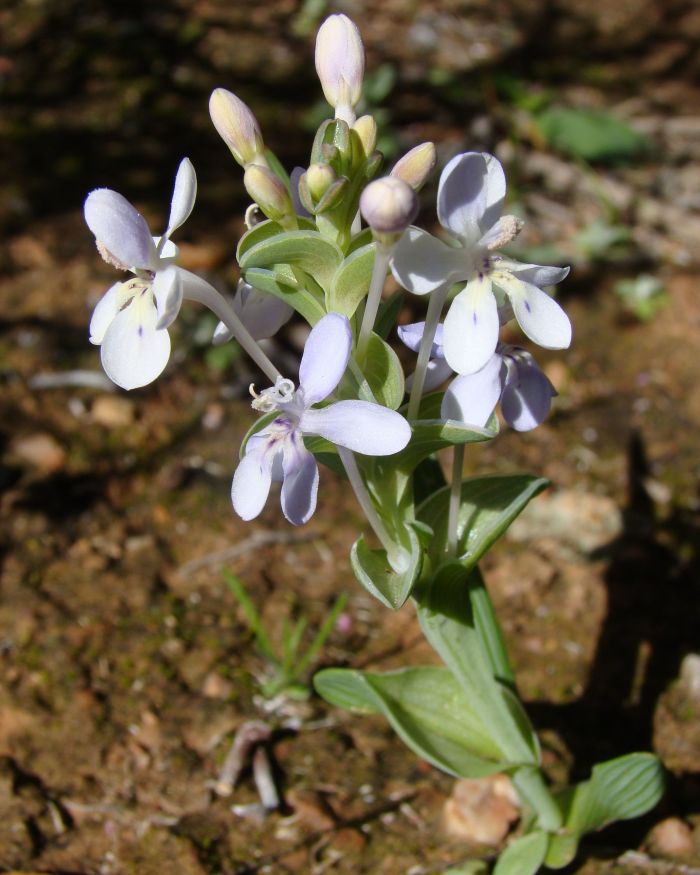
277	452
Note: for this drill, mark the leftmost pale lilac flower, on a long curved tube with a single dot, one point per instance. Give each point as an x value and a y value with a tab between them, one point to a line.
130	321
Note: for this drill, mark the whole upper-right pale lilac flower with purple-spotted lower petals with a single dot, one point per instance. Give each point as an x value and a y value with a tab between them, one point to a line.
470	198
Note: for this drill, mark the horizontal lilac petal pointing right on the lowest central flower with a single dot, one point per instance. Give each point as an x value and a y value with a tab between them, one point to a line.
360	426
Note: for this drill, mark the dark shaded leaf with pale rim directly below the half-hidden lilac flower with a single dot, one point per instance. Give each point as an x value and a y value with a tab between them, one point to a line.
432	433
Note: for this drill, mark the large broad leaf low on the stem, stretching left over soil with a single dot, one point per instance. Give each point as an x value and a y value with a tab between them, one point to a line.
426	708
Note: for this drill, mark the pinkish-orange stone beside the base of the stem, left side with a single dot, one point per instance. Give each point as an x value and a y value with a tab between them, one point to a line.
481	810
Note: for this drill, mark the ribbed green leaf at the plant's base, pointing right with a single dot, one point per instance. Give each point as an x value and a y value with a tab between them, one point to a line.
619	789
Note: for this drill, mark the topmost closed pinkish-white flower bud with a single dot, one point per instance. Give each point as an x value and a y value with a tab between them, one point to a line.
340	64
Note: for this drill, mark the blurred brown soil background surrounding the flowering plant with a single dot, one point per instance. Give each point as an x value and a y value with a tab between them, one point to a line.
126	662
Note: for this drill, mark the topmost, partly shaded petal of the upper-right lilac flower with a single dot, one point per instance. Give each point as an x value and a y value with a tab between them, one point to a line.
470	195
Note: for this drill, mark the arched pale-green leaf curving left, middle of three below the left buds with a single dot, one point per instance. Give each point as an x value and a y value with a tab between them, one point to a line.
308	250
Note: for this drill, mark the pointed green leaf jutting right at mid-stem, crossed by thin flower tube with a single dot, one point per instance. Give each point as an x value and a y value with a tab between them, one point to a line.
488	506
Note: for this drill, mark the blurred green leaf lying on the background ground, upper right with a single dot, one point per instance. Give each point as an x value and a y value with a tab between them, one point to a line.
591	134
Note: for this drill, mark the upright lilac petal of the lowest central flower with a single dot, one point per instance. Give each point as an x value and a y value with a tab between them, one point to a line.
325	357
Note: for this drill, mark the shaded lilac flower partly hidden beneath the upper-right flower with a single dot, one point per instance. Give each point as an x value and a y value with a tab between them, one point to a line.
511	376
